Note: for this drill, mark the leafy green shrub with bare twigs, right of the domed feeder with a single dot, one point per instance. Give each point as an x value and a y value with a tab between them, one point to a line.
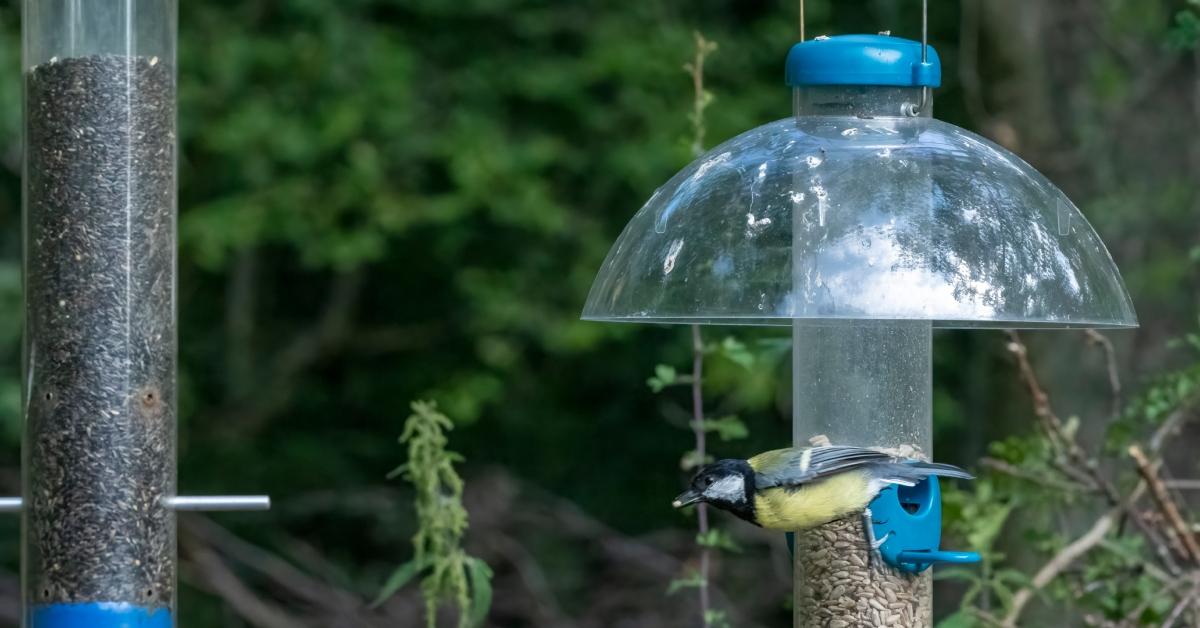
1136	564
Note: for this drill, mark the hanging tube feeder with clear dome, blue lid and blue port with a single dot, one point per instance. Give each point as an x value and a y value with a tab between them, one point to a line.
862	224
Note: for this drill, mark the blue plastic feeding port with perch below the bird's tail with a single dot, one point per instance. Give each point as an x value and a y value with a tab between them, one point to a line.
909	522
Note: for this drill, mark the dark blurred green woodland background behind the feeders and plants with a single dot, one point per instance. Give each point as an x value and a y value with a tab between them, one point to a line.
386	201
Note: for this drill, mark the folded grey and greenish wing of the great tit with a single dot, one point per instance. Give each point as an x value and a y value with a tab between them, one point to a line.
793	468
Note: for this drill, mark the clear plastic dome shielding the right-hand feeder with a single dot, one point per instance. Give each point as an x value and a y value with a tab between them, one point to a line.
859	218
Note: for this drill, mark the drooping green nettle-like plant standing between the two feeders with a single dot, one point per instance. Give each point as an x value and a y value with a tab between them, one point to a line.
451	576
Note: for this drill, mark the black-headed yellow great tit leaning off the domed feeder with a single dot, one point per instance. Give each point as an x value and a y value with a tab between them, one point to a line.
801	489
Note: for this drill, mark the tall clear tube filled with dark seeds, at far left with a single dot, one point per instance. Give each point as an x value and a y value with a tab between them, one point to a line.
100	337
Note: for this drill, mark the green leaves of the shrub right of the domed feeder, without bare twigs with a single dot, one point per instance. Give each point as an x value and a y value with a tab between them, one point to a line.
1118	577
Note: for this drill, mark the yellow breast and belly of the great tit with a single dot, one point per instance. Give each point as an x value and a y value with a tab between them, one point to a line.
813	505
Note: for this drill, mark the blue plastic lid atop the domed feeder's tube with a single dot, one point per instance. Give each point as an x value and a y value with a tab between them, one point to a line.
862	61
